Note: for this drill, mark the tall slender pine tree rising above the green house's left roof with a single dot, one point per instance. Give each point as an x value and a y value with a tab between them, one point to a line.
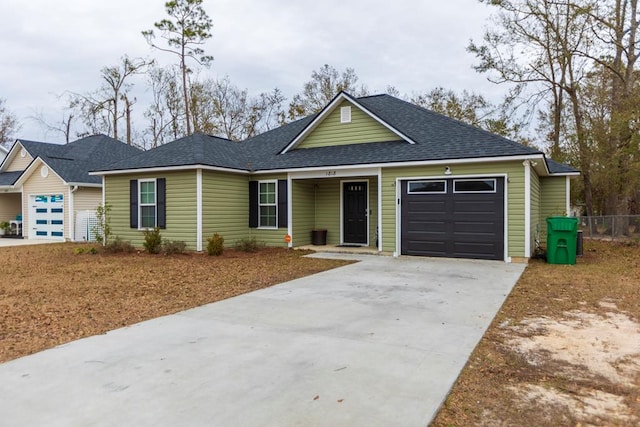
189	29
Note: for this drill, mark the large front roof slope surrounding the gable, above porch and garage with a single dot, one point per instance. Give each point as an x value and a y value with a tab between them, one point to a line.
436	137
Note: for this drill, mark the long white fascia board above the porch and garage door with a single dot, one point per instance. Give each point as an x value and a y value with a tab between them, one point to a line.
372	166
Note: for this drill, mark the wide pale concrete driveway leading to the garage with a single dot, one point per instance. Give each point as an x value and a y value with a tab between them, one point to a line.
376	343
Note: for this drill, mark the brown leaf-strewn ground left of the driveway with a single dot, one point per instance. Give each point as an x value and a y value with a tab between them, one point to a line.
50	295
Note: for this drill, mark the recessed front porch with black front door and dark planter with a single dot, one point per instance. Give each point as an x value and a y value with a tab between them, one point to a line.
346	207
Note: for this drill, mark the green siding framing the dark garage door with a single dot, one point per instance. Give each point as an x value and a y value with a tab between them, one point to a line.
514	188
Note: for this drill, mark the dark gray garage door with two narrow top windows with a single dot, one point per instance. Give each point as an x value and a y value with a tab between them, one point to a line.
457	218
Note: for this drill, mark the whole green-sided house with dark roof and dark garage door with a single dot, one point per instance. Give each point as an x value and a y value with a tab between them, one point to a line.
373	171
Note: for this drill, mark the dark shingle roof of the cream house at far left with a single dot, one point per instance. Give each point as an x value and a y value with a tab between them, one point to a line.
73	161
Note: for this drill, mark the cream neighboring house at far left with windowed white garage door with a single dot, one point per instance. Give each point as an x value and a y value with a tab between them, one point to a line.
44	186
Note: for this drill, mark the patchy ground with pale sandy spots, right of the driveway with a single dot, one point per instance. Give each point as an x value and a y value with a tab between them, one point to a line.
563	350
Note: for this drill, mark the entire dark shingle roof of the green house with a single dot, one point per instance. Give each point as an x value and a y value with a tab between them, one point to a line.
436	137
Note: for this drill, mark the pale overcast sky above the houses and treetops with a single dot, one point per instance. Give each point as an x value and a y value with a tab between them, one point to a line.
415	45
